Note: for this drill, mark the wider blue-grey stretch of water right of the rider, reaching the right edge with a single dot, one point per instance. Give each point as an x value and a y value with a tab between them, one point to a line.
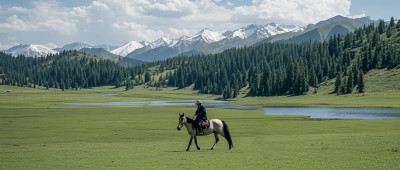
336	113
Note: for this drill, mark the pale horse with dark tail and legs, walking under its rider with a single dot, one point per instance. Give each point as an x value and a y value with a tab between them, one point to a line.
216	126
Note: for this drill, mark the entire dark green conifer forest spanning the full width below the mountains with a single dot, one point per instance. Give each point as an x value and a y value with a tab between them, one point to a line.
269	69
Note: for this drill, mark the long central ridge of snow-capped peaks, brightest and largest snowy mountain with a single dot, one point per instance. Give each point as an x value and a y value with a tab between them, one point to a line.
208	41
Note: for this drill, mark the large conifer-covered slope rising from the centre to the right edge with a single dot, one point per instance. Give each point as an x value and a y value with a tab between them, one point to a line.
288	69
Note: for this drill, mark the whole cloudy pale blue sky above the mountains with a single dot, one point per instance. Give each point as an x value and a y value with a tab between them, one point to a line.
54	23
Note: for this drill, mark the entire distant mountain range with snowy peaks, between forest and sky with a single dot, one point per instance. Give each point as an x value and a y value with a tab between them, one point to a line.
206	41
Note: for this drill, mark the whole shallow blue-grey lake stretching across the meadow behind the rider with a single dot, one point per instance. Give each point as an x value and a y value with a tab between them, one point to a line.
317	113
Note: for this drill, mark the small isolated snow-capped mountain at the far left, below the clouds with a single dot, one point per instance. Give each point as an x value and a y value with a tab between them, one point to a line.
30	50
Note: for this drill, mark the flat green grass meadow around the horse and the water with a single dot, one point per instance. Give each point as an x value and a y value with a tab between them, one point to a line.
36	132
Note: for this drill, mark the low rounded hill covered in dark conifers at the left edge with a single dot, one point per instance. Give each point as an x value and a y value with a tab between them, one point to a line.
66	70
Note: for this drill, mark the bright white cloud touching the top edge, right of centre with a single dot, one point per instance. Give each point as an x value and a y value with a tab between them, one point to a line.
295	11
